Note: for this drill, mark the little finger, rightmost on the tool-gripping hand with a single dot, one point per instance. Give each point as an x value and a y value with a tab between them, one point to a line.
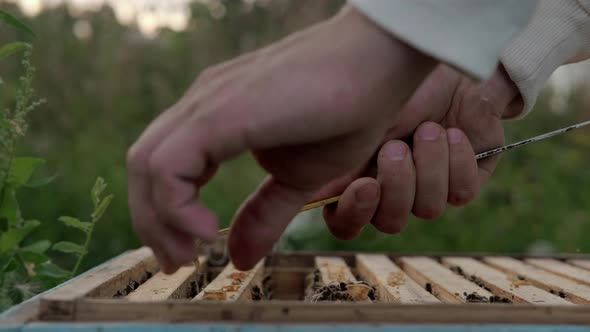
463	170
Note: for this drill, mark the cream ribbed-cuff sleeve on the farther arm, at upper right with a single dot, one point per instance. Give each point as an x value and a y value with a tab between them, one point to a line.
558	33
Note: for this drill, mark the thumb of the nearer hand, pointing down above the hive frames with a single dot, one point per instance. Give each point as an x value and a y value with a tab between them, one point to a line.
262	219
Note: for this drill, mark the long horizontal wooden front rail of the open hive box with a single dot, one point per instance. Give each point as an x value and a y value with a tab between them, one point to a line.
353	313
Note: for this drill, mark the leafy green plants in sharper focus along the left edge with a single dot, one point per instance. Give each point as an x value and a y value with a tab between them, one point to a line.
26	269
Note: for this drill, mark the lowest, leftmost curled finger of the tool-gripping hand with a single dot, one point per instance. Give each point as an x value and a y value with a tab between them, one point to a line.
354	210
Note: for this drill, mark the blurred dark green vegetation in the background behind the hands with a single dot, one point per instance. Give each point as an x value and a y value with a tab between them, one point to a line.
104	82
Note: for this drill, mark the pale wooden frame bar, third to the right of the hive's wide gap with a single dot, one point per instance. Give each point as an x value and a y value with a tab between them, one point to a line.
445	285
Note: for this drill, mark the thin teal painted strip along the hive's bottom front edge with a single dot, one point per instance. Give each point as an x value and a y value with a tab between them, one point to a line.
36	327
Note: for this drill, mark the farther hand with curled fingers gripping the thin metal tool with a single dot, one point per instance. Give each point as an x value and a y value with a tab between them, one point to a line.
440	167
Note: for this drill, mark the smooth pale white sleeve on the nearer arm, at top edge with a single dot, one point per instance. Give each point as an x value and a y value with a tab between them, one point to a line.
466	34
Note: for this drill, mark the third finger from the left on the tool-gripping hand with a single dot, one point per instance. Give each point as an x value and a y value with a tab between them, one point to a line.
431	158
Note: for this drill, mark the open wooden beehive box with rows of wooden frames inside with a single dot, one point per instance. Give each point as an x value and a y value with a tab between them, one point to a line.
286	288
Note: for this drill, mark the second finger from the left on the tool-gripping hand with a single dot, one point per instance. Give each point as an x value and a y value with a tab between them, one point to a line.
397	177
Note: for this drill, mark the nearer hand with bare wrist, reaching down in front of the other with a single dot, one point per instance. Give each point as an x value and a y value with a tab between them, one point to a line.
311	108
